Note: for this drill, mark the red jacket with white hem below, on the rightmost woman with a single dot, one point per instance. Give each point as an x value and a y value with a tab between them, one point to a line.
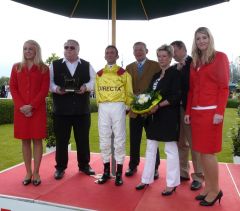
209	84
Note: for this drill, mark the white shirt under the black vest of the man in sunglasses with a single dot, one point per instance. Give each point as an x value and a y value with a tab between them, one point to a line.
72	68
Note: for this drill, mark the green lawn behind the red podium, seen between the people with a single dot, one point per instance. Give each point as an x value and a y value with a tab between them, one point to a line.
11	148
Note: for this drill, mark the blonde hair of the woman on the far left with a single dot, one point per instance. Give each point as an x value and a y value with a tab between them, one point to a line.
37	59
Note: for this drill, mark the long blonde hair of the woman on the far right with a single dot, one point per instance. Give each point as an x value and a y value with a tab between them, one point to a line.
197	56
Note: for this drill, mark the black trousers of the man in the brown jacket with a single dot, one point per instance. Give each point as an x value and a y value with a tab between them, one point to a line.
136	128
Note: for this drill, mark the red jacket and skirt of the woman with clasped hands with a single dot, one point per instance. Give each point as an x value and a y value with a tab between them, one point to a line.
29	87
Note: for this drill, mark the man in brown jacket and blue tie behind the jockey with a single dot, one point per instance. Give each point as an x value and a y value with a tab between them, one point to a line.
142	71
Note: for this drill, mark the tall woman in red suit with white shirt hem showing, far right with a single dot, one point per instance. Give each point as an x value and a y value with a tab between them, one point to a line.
207	99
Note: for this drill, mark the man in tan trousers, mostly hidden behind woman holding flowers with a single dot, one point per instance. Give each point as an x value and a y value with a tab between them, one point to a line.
185	139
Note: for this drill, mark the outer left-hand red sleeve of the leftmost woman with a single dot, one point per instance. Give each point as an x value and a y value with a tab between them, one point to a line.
18	101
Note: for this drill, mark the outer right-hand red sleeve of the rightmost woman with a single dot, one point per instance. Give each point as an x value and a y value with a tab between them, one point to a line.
222	68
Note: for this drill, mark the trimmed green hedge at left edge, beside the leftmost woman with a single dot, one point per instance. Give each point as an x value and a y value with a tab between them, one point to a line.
6	111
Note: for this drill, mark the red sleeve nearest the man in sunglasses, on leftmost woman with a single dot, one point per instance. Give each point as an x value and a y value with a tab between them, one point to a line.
42	94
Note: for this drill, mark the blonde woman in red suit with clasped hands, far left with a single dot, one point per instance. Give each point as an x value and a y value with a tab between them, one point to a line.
29	85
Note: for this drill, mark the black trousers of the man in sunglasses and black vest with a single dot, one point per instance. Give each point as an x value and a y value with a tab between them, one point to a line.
63	125
